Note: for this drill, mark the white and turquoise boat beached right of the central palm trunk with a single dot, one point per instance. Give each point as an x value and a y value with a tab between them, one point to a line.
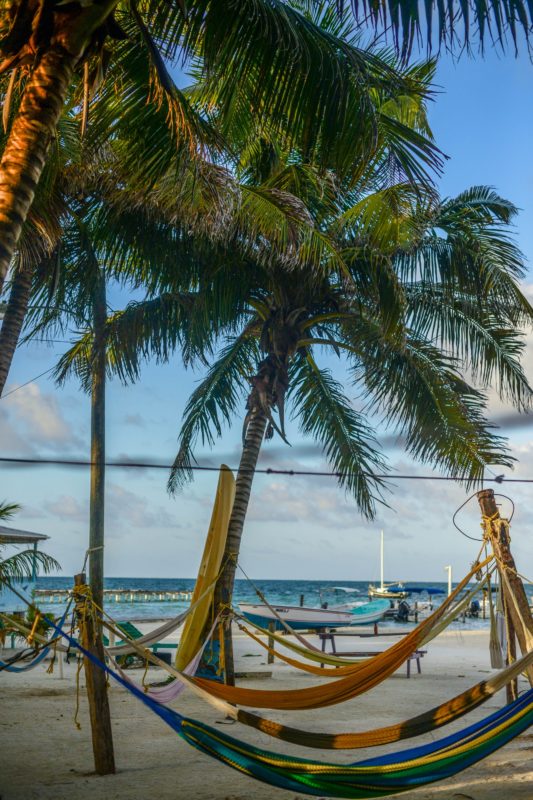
305	618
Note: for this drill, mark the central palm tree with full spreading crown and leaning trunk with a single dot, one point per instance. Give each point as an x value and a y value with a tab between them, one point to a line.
420	292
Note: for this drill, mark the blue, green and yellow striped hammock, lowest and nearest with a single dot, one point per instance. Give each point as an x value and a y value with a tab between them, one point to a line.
376	777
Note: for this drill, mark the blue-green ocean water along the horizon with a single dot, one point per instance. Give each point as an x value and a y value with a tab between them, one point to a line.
278	592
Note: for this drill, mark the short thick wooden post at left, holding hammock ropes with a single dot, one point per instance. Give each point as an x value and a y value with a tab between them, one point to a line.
104	760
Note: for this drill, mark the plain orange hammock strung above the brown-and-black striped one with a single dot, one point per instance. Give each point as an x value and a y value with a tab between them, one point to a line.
361	677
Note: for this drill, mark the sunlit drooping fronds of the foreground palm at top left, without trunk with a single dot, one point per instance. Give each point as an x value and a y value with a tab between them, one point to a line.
274	61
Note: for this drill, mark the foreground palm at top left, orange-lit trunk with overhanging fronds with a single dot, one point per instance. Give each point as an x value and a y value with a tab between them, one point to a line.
286	60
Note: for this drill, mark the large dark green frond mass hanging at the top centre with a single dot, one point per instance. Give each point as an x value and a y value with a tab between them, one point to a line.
279	66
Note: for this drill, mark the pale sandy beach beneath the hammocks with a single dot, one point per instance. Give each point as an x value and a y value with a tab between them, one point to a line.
45	756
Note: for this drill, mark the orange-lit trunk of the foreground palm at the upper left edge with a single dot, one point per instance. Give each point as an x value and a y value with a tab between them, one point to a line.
27	145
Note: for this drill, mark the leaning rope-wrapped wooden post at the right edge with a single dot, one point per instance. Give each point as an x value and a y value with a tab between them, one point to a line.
517	607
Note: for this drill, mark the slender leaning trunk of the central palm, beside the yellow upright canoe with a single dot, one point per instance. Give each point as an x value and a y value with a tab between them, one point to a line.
243	486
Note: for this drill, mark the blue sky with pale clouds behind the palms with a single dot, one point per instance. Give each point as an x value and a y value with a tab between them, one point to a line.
298	527
